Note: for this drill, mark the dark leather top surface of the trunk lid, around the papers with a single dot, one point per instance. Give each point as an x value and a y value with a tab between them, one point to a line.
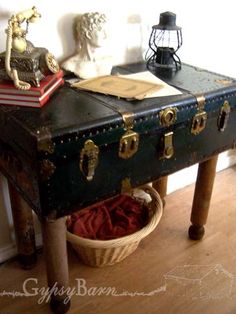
73	110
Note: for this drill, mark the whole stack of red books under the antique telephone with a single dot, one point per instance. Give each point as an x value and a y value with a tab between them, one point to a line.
35	96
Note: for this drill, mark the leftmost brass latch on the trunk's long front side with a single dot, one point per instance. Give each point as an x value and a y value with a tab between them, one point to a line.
89	159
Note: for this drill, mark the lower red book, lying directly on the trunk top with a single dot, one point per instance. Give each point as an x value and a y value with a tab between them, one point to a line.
29	100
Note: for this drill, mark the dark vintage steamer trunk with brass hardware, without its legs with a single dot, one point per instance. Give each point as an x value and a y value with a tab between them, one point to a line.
83	147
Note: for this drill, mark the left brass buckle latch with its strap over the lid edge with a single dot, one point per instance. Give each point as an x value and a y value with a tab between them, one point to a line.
129	142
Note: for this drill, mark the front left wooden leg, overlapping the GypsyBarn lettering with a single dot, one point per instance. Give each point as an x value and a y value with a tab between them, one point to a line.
55	251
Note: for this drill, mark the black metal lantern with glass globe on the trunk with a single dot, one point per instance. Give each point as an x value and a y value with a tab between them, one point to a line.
164	41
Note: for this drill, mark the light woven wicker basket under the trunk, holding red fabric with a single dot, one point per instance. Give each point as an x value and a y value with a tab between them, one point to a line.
98	253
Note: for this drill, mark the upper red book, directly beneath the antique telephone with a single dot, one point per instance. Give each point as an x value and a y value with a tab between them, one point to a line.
45	84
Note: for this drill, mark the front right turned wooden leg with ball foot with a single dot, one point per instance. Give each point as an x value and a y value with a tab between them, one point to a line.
202	197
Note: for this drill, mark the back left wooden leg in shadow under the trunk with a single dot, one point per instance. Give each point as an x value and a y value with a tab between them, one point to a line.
24	229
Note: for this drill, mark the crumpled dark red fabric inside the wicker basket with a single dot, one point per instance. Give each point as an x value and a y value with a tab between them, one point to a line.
111	219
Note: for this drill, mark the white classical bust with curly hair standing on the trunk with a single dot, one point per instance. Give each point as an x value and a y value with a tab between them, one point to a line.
91	59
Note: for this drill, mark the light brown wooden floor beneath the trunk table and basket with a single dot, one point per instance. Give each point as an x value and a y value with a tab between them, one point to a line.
180	275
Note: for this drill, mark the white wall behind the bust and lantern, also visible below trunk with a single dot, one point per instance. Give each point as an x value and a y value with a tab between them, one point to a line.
208	33
